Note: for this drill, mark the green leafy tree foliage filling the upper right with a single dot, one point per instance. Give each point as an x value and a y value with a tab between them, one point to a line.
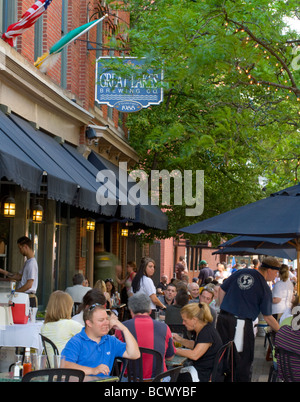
231	96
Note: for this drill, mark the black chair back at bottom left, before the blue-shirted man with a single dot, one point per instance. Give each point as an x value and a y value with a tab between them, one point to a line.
54	375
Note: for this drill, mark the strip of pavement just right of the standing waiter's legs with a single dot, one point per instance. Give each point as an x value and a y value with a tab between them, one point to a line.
261	367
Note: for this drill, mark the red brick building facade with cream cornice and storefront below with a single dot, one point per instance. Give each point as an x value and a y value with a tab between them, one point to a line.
61	103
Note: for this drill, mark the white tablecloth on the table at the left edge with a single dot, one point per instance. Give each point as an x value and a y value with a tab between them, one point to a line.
22	335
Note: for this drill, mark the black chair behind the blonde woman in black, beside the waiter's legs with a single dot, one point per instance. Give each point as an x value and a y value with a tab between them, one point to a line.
224	364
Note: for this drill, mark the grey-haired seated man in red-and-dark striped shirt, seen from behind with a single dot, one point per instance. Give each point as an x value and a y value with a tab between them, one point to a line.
148	332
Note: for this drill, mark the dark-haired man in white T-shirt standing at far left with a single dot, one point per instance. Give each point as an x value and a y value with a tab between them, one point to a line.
28	276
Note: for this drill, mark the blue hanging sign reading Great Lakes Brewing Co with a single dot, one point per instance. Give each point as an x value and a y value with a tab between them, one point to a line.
130	94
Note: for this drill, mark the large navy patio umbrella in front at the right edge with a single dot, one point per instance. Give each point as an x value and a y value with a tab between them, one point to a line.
275	216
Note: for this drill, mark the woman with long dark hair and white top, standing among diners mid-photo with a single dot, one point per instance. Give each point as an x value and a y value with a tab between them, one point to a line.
142	282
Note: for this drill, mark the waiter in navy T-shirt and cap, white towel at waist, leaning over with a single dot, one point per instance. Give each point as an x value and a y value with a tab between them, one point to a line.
244	295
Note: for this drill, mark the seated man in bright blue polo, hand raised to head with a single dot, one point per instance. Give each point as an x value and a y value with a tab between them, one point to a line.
92	350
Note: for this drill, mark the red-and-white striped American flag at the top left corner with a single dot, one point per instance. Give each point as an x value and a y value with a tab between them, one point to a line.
26	21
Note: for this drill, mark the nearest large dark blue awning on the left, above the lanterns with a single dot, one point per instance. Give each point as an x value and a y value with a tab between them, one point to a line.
26	154
